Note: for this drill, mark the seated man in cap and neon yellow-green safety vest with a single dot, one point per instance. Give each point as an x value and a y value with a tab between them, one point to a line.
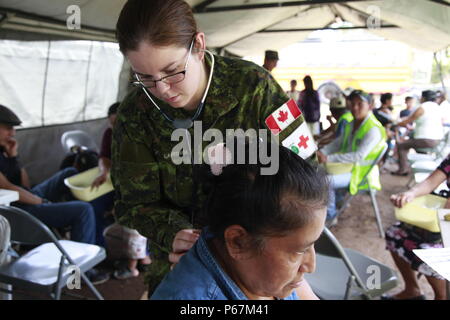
360	144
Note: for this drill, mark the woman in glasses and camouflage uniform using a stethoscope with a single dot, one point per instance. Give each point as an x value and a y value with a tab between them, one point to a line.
166	51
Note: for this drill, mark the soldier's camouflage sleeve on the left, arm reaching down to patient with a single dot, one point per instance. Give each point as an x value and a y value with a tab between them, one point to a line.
135	175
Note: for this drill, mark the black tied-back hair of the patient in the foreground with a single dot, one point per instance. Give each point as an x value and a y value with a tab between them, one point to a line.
266	205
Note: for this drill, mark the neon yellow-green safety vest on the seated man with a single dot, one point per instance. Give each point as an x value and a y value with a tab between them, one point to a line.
361	168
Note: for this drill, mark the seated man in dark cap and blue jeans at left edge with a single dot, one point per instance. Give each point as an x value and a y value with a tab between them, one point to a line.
41	201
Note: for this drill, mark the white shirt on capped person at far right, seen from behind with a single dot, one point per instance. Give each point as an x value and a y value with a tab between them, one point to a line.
429	125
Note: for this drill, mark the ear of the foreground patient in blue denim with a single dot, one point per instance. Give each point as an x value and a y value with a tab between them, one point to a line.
237	242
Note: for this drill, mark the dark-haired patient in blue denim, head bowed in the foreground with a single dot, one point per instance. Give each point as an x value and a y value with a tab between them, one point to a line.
260	237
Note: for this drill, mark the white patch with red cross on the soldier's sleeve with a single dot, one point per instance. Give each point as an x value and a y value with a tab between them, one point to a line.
301	142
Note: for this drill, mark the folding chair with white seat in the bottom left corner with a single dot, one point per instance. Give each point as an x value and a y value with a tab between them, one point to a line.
45	269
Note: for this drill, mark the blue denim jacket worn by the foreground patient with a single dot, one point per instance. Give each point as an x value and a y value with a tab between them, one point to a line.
198	276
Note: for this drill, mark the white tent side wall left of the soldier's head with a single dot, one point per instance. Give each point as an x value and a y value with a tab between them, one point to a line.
76	72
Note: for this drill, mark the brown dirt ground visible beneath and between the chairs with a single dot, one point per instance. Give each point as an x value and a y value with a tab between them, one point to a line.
356	229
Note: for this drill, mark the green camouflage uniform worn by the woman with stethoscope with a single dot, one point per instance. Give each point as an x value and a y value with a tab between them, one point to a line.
155	196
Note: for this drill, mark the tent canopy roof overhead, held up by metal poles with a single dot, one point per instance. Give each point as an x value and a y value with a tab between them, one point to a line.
242	27
